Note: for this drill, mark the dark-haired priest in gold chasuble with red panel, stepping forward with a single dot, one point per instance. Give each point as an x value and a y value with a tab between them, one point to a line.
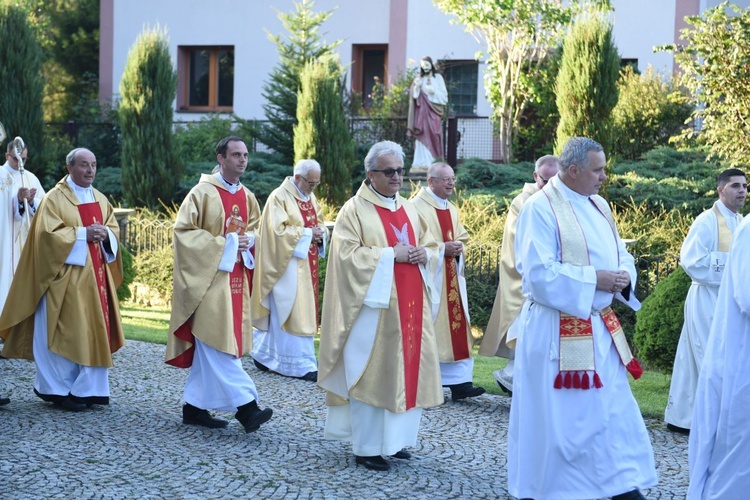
210	326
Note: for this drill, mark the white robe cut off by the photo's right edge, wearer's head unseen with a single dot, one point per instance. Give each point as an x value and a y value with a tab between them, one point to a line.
719	450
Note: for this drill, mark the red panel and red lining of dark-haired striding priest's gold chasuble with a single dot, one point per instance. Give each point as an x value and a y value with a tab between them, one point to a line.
235	206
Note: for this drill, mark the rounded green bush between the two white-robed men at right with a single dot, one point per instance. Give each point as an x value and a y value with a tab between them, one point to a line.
659	324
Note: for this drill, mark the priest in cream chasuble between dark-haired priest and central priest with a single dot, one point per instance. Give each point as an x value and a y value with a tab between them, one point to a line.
285	300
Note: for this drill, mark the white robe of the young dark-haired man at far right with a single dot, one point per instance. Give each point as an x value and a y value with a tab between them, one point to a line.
701	260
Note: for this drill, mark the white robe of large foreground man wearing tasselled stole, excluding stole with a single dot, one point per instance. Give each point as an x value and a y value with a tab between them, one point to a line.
571	443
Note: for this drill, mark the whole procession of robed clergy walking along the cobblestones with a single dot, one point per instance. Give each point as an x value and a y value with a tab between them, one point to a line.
395	326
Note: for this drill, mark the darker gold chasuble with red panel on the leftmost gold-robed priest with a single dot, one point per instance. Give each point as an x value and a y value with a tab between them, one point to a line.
83	315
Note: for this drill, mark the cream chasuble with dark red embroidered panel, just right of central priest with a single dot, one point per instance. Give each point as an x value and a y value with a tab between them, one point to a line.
452	327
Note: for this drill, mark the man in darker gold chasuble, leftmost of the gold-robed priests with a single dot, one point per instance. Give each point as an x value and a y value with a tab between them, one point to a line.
62	308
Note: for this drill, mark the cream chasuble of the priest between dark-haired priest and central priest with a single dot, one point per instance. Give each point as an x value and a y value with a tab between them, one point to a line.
285	215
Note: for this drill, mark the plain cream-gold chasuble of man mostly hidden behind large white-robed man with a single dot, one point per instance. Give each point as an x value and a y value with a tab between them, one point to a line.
509	297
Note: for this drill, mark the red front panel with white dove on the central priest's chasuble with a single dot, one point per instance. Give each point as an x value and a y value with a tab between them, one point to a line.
410	295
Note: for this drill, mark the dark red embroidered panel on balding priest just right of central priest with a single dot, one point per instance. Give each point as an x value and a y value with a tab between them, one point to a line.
456	316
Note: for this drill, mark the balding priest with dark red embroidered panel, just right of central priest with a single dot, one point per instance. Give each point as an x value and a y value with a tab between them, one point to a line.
451	317
